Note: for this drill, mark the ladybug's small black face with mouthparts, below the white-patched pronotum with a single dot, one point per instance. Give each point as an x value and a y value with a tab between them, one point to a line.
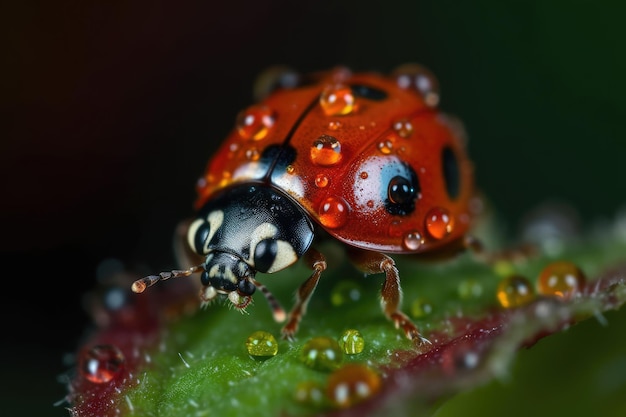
227	274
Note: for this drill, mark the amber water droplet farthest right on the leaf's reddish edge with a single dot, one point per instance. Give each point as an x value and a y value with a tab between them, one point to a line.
562	279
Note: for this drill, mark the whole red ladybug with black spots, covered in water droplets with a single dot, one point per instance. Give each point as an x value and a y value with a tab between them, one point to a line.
362	158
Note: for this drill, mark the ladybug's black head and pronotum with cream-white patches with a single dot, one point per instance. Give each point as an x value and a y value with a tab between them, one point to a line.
243	230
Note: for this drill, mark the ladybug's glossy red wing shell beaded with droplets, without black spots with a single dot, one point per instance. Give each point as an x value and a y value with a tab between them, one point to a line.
343	195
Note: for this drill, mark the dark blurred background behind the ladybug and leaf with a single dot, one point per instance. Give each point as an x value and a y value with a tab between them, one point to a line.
110	111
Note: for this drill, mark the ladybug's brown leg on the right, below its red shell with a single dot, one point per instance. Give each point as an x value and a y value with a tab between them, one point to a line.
391	293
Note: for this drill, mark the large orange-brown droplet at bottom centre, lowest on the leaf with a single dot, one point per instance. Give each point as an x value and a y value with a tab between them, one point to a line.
352	384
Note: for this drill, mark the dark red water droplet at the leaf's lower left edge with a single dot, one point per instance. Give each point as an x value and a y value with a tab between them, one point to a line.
102	363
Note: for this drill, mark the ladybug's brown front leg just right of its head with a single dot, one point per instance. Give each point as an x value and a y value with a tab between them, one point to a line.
318	263
